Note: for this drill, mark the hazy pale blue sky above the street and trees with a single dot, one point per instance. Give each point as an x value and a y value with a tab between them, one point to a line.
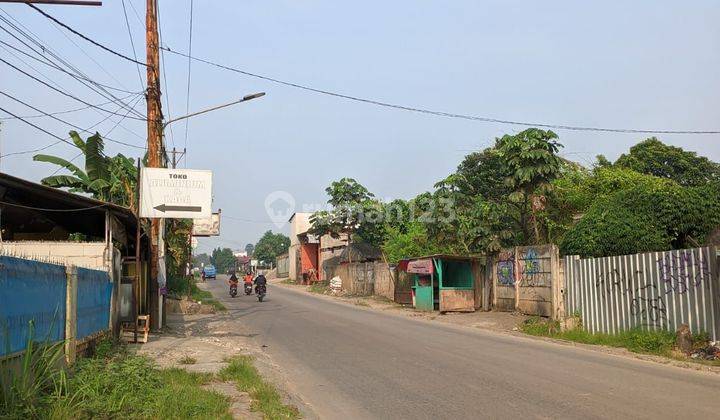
619	64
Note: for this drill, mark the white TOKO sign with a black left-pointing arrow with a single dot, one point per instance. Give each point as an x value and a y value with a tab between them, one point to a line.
175	193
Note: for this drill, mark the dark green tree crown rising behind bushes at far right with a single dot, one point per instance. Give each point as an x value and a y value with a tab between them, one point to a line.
654	157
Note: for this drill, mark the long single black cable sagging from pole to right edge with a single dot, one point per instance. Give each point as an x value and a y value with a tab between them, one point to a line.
440	113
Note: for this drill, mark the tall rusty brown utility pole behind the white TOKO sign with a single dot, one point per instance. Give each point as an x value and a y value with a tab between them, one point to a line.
154	125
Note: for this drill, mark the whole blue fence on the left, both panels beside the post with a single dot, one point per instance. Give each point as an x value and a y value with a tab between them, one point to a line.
37	291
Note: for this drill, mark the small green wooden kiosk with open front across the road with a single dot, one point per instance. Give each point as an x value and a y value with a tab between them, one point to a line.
446	283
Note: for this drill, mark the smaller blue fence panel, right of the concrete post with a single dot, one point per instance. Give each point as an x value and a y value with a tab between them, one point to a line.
93	304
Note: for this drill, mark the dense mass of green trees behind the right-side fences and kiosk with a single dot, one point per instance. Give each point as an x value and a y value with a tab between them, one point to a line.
521	191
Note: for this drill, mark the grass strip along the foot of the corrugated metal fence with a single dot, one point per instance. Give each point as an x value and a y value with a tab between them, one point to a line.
660	343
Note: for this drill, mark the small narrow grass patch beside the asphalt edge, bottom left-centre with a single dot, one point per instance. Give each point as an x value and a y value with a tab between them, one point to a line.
266	398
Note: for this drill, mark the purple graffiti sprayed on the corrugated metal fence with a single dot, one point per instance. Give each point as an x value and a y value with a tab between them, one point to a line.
682	271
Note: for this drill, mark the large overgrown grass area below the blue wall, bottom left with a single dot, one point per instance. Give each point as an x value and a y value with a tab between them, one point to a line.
114	384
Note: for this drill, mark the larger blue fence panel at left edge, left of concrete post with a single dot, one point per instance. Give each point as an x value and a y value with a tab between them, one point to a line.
30	291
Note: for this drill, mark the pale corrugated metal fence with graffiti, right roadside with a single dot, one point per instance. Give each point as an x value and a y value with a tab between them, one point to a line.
654	290
